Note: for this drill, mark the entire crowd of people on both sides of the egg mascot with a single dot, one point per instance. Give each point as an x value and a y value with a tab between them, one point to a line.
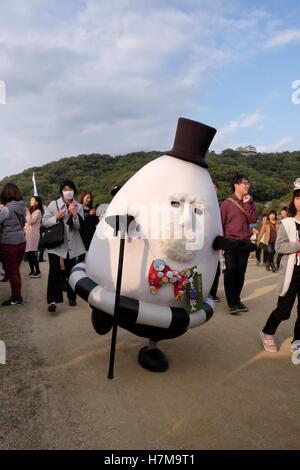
21	237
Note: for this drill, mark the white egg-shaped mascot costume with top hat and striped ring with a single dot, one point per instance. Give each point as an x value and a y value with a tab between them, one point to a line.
169	260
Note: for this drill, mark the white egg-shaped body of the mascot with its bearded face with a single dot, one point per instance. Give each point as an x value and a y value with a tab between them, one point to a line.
177	218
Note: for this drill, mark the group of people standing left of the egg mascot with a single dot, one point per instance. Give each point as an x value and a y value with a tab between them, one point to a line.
21	237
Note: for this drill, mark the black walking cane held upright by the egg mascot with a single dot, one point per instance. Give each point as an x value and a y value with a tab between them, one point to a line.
120	223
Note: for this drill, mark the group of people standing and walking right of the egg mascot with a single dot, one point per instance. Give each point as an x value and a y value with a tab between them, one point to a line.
270	237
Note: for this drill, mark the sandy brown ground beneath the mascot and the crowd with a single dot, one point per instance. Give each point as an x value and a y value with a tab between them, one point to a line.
222	390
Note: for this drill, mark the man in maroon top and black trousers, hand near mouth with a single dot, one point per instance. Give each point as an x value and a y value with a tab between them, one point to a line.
237	213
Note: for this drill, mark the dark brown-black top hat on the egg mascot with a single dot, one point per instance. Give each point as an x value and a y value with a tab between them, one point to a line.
192	141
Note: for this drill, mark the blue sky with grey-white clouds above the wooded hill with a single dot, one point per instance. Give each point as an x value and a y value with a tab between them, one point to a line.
83	76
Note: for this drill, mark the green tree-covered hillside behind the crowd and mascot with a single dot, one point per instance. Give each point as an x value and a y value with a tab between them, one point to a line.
271	174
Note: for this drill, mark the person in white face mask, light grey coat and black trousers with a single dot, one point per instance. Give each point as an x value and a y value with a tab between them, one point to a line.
65	208
